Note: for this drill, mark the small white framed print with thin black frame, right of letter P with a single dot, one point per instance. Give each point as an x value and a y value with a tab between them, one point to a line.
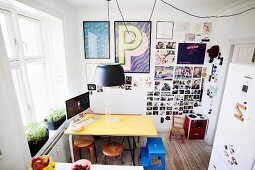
165	30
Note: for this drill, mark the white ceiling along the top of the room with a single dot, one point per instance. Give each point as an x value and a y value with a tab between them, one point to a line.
189	5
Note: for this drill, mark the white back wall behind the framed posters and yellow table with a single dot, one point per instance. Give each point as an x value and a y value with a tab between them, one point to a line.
134	101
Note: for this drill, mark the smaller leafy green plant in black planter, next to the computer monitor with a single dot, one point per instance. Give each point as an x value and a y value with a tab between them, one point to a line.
55	119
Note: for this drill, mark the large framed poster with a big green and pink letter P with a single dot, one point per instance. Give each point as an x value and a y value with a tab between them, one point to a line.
132	46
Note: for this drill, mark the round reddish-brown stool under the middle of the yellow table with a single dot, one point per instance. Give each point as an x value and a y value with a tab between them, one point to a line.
112	149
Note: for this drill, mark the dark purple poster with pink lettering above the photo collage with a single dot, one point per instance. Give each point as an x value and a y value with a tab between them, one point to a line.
191	53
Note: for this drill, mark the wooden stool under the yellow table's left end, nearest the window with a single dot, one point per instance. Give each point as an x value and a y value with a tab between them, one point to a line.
86	142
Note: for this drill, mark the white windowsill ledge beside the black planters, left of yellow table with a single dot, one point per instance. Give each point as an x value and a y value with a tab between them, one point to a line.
53	134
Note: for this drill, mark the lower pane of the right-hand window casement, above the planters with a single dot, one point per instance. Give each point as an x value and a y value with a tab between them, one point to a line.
37	82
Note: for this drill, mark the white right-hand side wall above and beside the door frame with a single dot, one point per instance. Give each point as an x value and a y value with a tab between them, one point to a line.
226	30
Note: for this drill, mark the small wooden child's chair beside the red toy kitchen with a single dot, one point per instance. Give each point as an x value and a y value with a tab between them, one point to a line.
177	127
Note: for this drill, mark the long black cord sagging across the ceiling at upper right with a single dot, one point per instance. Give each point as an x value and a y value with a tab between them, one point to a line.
211	16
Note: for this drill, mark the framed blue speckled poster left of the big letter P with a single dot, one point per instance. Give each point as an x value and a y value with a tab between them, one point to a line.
96	39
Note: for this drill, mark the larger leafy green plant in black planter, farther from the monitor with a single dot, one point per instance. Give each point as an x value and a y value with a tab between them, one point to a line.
37	135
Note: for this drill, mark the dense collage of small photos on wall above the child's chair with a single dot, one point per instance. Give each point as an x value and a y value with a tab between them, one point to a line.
177	95
